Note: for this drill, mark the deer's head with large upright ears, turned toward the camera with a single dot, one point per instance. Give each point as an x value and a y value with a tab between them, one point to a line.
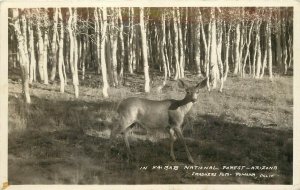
192	92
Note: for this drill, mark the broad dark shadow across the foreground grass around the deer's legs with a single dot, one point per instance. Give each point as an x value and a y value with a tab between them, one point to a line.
49	143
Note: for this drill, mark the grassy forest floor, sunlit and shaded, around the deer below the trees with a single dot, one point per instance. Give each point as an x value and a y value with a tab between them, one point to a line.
62	140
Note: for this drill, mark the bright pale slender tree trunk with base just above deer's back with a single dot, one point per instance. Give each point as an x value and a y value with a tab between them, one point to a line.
144	50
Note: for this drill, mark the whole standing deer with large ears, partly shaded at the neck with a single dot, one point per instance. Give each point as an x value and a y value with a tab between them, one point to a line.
165	114
